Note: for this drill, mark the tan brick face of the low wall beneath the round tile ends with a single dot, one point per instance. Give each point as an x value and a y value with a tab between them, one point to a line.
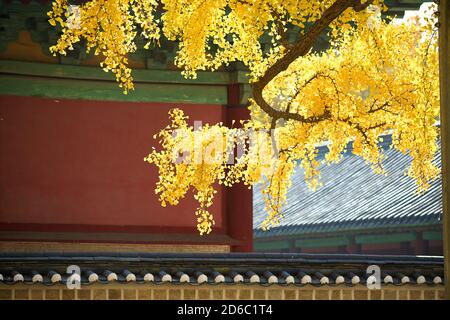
219	292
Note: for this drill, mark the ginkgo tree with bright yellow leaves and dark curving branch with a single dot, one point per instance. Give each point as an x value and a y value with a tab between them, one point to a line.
376	76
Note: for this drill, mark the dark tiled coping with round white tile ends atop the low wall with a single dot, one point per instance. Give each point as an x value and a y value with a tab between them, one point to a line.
196	269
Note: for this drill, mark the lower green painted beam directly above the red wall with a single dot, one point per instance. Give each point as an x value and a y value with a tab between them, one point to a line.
108	90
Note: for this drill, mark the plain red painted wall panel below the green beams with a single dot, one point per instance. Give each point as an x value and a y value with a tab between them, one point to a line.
73	164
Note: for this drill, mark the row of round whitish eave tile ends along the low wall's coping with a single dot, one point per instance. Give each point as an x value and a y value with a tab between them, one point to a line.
300	278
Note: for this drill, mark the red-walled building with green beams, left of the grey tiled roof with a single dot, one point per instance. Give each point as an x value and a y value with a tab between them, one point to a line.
72	146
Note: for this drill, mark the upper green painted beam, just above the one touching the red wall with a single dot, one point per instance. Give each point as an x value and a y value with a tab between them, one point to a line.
139	75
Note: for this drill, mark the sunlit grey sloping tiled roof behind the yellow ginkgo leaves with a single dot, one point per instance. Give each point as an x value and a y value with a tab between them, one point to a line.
352	197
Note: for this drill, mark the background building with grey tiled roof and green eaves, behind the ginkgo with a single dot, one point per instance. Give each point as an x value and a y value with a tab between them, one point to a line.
357	211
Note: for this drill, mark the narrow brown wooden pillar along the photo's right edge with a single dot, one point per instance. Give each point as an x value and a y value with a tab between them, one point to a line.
444	70
